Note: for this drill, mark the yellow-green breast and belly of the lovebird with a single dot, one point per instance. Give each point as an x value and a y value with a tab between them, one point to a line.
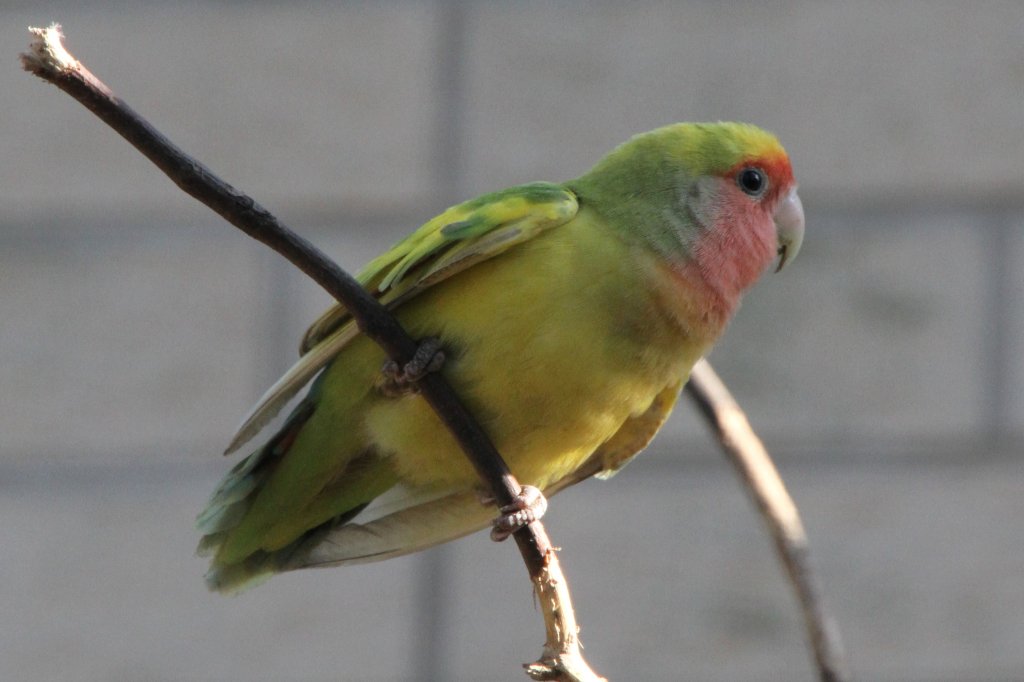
553	345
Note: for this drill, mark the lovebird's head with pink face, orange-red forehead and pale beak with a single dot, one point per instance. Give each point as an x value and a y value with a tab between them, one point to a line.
717	199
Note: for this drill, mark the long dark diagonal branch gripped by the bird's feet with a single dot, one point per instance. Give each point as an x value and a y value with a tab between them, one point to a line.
50	61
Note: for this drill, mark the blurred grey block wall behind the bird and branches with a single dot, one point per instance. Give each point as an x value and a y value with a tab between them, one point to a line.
885	369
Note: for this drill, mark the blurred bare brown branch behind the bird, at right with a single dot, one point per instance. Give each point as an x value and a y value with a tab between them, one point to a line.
748	454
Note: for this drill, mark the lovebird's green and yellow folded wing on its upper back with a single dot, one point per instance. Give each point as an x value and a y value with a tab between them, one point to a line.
455	241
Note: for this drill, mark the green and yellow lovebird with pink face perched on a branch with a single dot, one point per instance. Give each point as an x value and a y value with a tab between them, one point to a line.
567	316
